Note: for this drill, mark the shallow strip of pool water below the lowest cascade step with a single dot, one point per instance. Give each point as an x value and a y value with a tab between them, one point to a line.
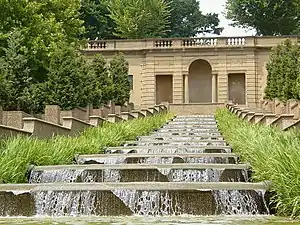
136	220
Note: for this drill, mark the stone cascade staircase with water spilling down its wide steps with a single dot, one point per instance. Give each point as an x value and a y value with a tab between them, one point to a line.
185	167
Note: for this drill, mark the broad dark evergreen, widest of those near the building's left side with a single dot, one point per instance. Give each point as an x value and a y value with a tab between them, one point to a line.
69	82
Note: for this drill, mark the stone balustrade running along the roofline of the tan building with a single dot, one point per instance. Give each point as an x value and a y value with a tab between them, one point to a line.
182	43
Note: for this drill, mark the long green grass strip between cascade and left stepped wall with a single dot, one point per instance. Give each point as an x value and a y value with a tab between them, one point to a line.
16	154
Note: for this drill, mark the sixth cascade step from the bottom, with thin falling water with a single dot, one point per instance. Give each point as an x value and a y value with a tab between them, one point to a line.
179	138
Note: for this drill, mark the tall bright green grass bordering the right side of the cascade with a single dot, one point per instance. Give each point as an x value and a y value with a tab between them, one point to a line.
273	154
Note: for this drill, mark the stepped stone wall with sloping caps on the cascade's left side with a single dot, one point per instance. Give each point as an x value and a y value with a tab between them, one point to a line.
71	123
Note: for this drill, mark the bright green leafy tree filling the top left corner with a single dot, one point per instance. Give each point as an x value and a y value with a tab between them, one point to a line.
43	24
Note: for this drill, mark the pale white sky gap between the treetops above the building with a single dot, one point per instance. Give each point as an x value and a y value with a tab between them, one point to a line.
218	6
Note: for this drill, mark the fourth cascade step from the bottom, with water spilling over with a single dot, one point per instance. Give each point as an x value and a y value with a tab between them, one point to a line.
166	149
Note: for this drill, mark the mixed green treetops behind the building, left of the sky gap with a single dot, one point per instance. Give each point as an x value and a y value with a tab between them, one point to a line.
105	19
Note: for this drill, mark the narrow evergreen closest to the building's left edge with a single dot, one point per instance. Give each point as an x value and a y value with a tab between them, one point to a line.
119	73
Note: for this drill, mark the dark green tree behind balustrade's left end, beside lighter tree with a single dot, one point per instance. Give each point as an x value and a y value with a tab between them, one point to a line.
97	21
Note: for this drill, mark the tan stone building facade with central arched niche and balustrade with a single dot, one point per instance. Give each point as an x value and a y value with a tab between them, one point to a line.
194	70
